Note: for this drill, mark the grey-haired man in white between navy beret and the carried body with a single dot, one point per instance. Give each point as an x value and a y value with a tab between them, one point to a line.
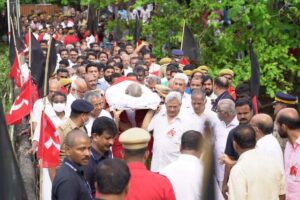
97	101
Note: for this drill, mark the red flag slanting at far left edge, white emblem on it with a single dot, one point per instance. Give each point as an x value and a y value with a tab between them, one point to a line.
22	105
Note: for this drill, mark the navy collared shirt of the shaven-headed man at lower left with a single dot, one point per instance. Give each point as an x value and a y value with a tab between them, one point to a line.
70	184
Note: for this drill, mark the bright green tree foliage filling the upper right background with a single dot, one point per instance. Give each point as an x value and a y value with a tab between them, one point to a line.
273	26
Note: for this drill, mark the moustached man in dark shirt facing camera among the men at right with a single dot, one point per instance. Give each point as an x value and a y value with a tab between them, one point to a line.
244	113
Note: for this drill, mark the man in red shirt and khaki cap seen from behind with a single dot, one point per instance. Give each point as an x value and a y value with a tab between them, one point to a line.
143	183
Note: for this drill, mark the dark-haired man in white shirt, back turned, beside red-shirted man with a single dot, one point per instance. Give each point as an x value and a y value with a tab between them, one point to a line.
186	173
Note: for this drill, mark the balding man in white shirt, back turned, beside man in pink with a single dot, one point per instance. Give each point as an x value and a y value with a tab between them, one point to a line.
265	141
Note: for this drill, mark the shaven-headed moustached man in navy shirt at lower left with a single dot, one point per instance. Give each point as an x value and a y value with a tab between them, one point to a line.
69	182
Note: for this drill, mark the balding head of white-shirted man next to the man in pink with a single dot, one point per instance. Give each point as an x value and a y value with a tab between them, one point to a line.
263	122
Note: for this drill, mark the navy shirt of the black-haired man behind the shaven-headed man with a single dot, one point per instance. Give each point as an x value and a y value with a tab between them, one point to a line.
90	170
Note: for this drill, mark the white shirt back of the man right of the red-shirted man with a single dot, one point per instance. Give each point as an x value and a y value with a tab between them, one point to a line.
185	174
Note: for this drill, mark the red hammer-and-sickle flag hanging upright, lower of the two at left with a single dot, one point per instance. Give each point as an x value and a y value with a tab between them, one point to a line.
49	143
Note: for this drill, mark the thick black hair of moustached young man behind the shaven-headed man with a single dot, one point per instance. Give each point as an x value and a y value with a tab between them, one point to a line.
102	124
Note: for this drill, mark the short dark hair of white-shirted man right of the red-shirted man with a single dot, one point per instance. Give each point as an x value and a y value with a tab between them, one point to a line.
191	140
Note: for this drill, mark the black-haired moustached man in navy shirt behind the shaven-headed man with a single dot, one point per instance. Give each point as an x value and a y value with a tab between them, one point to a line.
104	131
